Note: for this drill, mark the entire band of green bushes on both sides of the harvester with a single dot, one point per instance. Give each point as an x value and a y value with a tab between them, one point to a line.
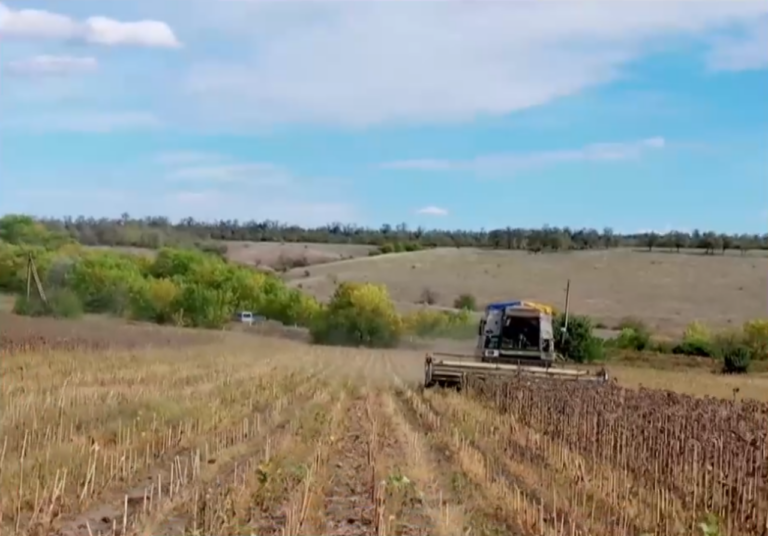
189	287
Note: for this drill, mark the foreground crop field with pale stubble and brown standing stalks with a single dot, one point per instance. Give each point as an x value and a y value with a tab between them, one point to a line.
244	434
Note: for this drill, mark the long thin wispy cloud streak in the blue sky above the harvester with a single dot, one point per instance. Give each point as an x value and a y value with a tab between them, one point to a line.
513	162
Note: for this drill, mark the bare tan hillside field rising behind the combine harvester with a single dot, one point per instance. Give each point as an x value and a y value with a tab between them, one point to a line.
665	289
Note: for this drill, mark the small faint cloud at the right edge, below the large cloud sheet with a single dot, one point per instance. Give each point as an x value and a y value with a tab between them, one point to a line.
747	53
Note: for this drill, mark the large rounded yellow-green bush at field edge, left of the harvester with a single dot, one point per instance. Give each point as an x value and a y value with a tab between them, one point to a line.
358	315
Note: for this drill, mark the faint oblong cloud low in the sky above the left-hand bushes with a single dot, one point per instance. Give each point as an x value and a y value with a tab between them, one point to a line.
263	174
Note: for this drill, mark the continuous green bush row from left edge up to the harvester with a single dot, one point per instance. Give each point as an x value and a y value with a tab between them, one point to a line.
188	287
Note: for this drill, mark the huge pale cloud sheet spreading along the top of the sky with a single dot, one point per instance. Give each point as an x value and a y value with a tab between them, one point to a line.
365	63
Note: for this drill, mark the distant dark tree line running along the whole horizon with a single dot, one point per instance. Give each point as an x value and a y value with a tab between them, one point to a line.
156	232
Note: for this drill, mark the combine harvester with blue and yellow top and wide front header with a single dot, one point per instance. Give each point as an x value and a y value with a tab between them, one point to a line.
513	339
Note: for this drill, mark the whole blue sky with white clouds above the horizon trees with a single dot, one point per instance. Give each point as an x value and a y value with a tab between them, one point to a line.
637	116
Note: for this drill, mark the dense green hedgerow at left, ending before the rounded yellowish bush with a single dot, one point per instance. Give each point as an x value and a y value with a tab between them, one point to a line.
179	286
